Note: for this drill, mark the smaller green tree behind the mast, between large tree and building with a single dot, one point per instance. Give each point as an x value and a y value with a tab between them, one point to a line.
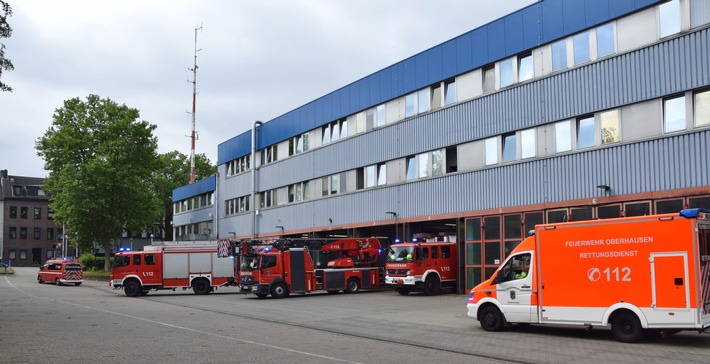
173	171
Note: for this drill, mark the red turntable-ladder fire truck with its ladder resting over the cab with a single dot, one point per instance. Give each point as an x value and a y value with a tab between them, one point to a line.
284	266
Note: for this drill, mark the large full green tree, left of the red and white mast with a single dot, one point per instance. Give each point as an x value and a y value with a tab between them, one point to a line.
100	160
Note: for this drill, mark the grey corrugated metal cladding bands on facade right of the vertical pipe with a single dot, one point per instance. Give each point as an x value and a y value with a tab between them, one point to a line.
663	69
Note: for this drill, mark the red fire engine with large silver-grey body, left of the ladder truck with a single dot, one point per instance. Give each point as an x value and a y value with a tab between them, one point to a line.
171	267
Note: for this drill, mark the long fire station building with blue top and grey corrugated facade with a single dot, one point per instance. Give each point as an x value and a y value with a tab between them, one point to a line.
565	110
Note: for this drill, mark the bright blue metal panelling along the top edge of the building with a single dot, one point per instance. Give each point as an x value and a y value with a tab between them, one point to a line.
537	24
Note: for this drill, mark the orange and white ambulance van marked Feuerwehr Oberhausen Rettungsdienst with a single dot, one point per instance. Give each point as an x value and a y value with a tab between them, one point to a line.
641	275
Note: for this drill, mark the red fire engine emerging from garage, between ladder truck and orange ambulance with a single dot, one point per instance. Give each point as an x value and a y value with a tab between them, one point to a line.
426	266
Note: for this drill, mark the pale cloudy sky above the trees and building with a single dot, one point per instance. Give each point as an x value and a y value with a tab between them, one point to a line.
257	59
